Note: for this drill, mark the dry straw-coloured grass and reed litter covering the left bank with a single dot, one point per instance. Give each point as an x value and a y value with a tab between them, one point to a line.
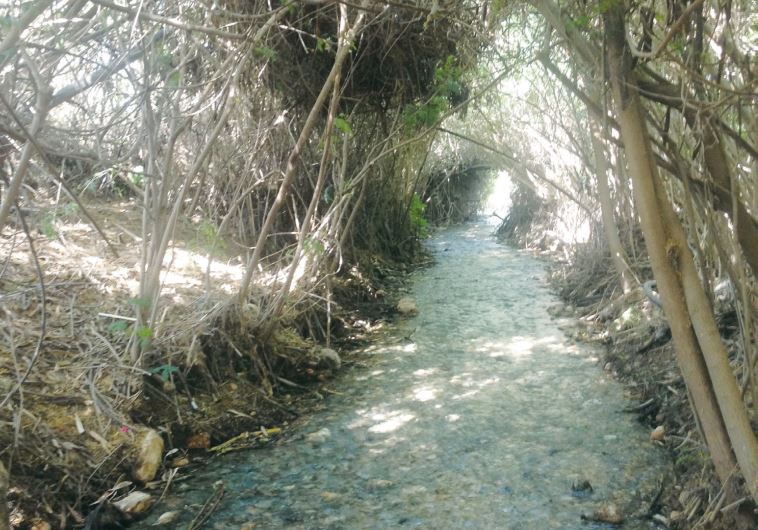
69	431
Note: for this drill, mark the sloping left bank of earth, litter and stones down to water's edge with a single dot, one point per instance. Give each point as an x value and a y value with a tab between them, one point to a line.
77	433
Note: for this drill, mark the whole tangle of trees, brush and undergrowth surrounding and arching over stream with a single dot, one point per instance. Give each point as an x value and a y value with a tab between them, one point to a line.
195	193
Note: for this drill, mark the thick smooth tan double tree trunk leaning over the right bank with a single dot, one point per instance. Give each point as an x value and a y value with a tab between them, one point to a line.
700	352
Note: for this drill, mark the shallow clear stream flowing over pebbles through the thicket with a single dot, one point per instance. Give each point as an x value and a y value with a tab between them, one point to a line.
477	413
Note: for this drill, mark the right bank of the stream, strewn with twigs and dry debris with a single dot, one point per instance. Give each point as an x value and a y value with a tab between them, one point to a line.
634	336
